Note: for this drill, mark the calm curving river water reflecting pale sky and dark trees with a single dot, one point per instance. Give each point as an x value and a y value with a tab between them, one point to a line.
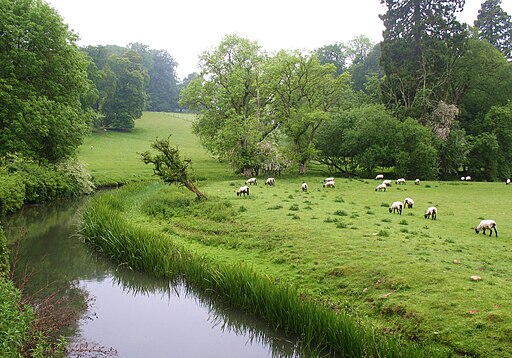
125	313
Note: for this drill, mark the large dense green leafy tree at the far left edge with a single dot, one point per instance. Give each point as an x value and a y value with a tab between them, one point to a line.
43	79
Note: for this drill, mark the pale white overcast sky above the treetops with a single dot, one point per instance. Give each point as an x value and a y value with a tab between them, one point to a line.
186	28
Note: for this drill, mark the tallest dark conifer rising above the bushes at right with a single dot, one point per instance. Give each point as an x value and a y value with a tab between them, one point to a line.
422	41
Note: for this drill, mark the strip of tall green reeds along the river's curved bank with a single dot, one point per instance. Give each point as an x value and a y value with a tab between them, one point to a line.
319	327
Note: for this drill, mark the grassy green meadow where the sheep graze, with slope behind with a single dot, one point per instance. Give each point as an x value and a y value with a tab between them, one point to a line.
403	275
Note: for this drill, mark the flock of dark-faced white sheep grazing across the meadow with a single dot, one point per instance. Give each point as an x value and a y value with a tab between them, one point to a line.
396	207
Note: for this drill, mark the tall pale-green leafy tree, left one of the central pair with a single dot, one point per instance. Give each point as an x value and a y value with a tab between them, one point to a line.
232	115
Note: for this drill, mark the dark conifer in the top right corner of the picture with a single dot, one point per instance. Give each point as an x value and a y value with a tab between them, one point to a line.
495	26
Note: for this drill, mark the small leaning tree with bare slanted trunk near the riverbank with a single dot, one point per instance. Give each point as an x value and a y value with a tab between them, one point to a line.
168	165
